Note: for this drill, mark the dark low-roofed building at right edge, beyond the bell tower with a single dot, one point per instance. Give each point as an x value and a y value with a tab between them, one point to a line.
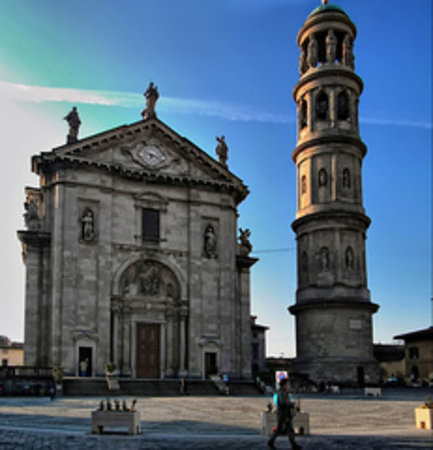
418	348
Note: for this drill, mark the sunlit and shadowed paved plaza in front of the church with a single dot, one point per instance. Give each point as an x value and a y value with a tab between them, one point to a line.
345	421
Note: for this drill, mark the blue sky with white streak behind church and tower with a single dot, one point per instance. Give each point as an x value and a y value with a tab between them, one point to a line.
229	67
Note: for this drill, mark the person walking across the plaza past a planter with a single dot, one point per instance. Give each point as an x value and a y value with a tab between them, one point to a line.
285	413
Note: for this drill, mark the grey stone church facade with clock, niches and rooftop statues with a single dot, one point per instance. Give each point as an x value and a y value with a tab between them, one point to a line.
133	257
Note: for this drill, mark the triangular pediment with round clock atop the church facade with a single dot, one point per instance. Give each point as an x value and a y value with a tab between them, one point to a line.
148	148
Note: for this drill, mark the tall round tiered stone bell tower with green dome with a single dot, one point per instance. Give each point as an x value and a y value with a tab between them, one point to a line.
333	309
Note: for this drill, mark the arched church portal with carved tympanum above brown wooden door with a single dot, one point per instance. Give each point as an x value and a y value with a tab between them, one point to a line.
148	321
